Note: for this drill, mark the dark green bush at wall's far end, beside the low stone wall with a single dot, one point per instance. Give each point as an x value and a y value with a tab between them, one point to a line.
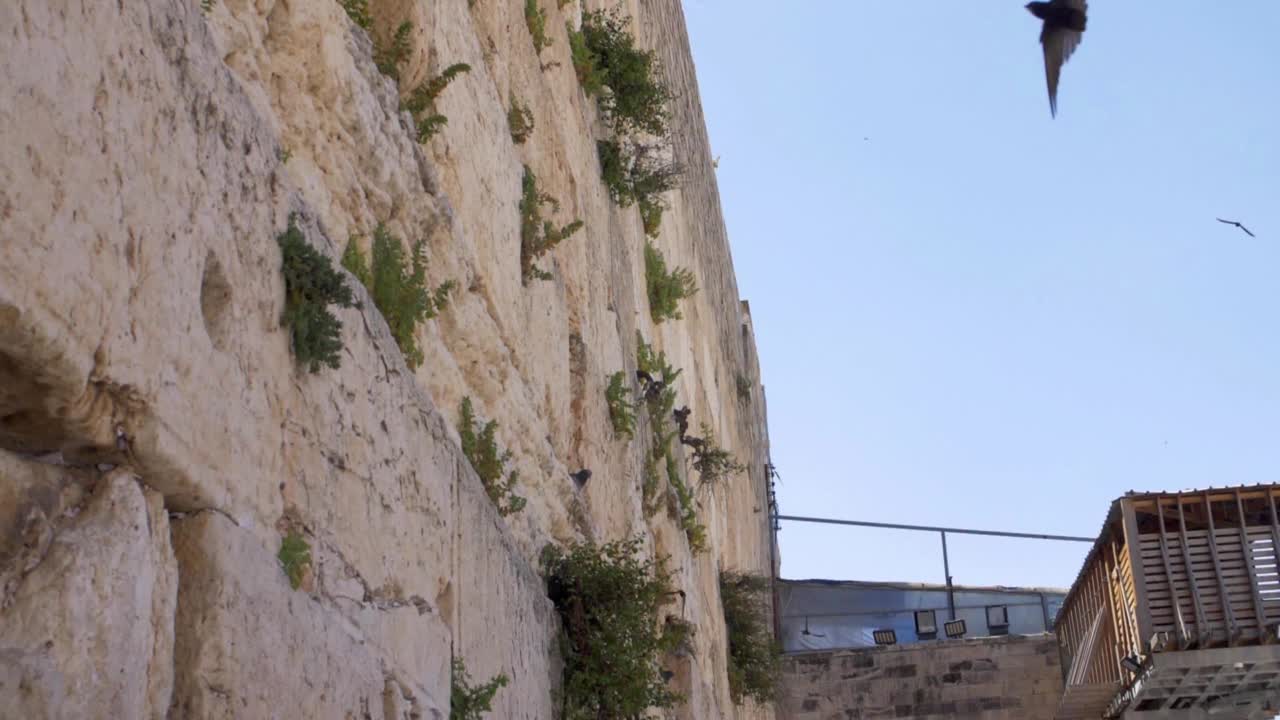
755	655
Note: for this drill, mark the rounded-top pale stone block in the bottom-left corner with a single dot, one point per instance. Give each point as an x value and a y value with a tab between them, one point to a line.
89	631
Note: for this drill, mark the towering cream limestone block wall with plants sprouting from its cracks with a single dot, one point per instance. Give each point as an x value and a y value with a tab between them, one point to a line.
158	439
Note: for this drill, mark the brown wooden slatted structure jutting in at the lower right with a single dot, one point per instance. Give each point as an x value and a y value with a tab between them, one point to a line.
1171	573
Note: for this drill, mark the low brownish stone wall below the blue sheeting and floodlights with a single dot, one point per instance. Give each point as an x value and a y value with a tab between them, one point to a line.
1014	678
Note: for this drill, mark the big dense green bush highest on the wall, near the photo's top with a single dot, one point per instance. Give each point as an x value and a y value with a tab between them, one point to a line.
637	99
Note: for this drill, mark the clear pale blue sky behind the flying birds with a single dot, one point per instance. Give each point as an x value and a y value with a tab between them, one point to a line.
972	315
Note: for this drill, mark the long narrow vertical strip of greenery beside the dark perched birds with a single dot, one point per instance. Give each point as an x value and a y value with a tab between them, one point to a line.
659	394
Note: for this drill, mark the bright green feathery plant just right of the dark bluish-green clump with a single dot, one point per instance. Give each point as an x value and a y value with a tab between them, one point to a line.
399	288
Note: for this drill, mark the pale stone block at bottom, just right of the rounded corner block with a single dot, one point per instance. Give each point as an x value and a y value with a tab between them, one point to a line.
250	646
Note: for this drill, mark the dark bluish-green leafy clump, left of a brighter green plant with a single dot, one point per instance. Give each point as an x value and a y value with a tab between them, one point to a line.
310	286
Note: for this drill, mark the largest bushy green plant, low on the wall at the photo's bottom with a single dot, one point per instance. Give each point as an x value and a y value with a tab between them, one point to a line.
610	601
